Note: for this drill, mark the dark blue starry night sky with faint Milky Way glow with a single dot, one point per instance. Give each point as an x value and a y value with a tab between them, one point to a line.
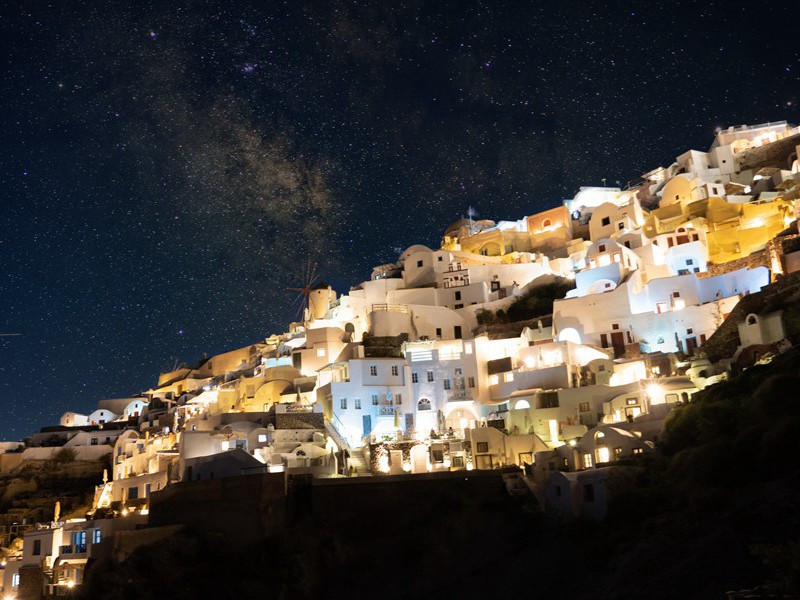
167	167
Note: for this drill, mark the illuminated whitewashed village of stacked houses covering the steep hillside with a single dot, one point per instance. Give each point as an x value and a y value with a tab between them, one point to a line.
551	350
